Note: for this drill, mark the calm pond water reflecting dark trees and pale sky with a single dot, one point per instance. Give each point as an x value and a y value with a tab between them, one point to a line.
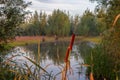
52	58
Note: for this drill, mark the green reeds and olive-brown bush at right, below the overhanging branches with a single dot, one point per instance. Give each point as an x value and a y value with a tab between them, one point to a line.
106	56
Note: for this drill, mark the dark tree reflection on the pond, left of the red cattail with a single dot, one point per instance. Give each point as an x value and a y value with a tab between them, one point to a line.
51	51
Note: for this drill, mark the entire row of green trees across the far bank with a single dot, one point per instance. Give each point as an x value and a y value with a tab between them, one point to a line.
60	23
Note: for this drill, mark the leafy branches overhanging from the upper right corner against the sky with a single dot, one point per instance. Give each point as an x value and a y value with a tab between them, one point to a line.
112	9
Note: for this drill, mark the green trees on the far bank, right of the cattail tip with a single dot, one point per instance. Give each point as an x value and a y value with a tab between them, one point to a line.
91	24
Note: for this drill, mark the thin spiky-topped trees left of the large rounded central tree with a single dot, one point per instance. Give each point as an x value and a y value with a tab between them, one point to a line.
35	25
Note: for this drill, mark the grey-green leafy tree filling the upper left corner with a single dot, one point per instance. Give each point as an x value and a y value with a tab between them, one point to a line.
12	14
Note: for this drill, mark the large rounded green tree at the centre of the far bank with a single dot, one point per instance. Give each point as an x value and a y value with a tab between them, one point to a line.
58	23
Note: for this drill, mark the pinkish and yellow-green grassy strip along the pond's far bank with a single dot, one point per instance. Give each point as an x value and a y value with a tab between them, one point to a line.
35	39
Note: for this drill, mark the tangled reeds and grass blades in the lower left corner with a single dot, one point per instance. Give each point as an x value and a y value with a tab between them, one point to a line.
11	70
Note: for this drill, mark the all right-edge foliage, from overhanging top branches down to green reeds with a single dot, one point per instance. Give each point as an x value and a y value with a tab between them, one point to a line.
106	56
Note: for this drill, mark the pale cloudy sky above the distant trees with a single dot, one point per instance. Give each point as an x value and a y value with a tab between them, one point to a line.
75	7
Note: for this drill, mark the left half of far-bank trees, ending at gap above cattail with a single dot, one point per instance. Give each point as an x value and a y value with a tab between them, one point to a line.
57	23
